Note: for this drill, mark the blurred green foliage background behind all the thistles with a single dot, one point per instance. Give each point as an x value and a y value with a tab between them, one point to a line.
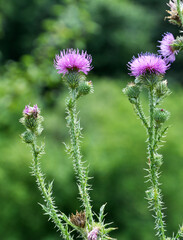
31	33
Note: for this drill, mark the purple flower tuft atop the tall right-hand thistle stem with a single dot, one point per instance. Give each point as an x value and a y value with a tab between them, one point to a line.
147	63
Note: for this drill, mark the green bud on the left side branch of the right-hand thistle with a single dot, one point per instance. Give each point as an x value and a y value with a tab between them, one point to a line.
132	91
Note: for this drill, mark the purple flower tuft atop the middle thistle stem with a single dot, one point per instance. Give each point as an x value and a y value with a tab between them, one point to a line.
71	59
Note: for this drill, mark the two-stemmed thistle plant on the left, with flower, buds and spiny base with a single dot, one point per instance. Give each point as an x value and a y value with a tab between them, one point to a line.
74	67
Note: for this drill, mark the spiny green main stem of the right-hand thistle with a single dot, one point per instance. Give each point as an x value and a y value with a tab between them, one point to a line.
153	172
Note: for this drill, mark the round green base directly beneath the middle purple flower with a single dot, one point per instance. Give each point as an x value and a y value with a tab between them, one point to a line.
72	79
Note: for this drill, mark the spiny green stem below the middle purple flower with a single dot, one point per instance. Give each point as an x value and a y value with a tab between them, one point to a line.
81	173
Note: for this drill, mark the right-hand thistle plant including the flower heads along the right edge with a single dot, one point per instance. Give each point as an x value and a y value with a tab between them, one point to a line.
149	72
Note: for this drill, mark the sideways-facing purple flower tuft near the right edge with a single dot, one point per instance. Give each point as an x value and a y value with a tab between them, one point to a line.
166	50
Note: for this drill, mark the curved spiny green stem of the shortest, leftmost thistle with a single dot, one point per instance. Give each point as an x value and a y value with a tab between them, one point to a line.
49	208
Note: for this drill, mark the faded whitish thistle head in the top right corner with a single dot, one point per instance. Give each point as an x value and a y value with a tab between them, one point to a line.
174	17
